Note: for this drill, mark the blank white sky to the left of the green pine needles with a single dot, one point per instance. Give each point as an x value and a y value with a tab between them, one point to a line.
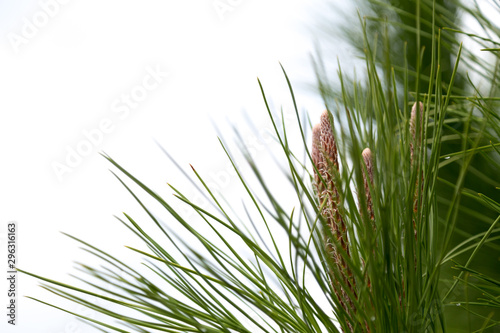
63	74
